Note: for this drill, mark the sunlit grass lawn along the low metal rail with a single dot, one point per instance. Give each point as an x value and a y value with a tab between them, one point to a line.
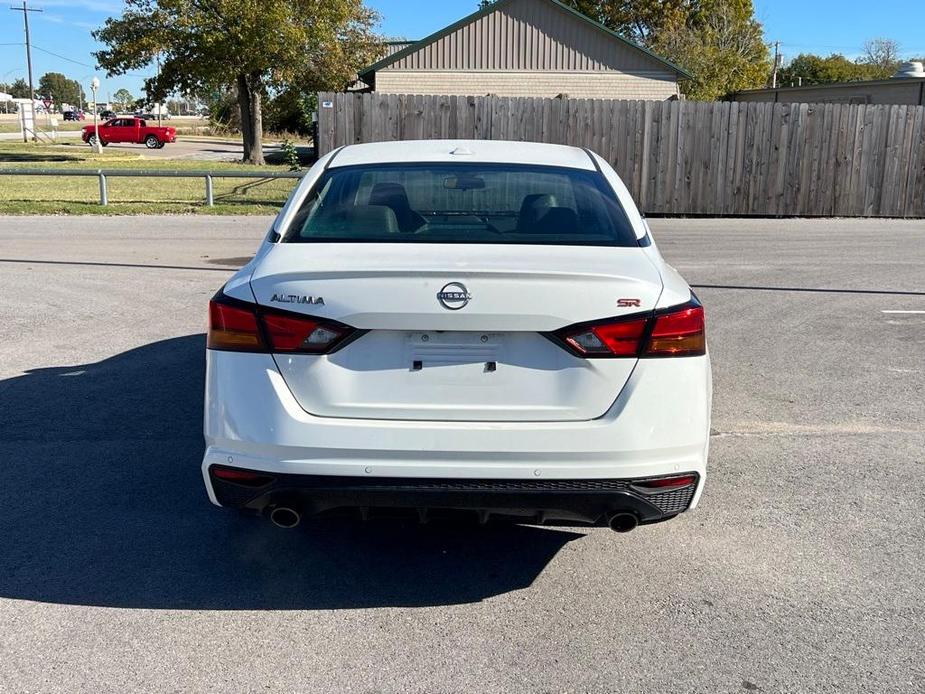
80	195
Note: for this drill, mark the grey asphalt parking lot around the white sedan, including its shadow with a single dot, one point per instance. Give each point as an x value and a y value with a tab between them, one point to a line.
802	571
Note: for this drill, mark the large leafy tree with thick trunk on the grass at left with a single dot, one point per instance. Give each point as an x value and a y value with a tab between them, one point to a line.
255	47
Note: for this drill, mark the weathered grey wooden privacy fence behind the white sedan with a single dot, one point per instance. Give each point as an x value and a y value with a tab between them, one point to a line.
683	157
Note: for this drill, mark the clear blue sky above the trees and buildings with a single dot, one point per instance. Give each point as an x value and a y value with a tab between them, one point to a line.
819	26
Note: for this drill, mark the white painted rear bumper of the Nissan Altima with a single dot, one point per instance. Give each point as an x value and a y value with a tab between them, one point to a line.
658	425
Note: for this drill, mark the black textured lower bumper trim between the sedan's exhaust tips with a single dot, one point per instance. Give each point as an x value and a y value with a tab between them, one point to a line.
537	501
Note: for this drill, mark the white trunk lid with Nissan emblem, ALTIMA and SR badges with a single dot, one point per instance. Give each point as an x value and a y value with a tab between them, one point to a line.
455	332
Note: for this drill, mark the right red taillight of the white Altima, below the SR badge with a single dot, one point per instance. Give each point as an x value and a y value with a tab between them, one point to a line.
675	332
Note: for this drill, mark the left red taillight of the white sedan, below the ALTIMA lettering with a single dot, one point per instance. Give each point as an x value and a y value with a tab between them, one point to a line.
241	327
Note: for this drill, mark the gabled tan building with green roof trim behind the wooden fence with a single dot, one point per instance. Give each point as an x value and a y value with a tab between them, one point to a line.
526	48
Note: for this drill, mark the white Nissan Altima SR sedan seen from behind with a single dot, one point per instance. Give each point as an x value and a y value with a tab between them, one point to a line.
439	328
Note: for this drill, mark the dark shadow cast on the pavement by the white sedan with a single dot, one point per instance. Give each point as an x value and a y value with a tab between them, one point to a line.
102	503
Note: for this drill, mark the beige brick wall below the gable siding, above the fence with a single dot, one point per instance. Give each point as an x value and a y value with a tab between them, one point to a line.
578	85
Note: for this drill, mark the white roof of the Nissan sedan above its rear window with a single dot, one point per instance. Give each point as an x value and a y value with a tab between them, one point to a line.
476	151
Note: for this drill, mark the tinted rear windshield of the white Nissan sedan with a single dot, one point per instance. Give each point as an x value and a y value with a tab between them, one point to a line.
462	203
